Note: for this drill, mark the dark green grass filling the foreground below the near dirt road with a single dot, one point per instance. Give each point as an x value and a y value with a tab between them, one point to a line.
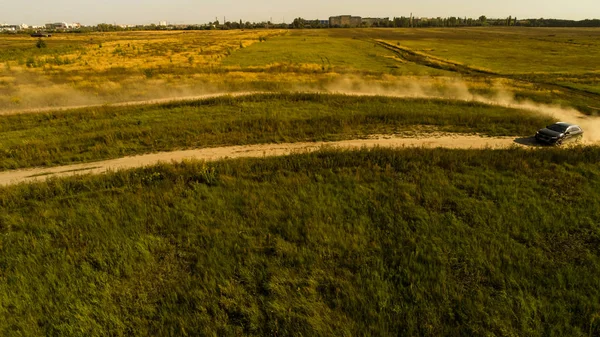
372	242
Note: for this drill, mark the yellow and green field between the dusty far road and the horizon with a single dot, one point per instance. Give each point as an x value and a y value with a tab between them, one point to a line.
545	65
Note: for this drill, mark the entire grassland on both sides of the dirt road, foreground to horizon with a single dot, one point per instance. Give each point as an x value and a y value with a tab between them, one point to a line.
348	243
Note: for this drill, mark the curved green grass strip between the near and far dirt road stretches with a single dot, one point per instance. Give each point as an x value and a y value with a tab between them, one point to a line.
54	138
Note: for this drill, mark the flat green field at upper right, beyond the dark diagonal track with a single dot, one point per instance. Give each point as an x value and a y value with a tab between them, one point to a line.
503	50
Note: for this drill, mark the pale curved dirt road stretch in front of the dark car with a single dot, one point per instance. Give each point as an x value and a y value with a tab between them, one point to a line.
457	141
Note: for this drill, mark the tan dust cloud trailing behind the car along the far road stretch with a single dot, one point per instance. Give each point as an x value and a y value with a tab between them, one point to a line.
37	95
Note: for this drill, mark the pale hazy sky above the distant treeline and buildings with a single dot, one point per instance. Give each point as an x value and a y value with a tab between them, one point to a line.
37	12
